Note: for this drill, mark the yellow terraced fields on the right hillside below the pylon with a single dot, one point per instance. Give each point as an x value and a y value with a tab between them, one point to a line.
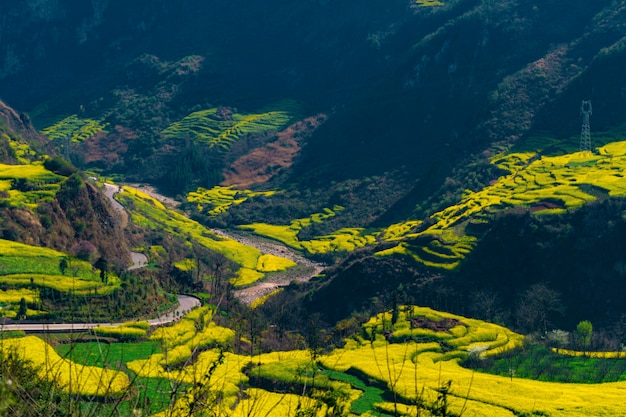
542	184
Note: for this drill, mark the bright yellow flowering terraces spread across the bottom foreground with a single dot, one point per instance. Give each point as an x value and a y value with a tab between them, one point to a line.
412	356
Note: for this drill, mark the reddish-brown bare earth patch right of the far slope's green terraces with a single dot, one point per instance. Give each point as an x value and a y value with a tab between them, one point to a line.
260	164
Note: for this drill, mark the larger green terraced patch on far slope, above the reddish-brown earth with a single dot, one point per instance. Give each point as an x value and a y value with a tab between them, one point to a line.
221	127
